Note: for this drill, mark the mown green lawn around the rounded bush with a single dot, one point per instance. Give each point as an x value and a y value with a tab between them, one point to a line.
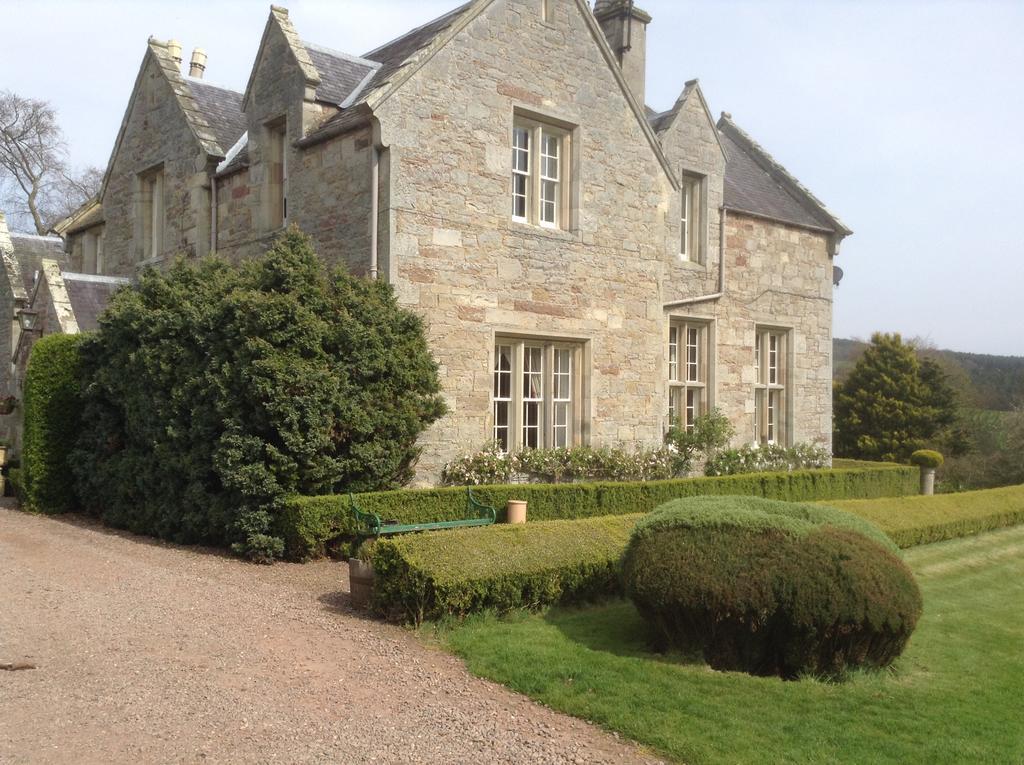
955	697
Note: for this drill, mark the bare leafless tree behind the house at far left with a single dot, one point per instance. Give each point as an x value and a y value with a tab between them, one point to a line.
37	182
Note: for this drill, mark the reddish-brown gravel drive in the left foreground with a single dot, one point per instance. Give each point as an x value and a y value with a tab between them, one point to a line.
151	653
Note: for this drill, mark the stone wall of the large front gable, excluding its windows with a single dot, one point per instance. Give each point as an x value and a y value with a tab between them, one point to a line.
459	259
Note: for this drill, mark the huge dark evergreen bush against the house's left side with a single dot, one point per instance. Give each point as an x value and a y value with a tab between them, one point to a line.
216	391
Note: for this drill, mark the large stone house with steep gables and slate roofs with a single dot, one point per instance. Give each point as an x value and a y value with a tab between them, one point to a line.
590	269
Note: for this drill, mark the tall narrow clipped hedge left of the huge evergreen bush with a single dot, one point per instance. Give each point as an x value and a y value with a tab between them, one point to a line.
53	423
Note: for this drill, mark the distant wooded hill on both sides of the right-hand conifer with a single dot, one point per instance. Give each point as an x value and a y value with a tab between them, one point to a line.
986	381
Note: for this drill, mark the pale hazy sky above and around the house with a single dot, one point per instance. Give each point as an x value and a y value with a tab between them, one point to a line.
904	116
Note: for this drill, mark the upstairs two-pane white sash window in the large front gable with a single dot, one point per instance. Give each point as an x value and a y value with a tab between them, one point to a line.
541	174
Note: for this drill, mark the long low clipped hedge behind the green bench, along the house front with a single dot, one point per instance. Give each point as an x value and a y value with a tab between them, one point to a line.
307	524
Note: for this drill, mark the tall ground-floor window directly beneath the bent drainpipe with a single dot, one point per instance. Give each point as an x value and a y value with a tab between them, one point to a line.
689	356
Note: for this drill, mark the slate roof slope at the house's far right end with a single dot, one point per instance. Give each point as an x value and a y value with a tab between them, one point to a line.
756	184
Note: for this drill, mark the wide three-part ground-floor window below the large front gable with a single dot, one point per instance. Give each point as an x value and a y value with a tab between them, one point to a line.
536	397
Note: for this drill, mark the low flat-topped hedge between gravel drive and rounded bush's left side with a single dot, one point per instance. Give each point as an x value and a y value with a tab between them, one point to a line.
430	576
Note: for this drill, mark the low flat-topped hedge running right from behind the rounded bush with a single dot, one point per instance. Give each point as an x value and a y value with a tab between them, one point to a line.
922	521
